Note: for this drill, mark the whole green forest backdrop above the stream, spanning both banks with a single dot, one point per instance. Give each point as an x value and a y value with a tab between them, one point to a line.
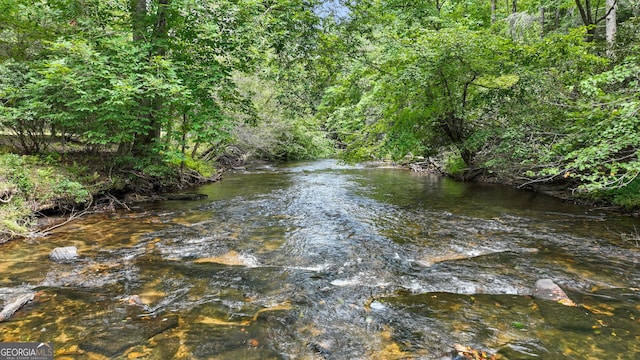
530	92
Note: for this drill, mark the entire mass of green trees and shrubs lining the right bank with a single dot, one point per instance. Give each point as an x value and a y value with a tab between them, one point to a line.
416	78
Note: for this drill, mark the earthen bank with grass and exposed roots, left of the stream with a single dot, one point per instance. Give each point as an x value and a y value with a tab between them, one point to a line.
34	185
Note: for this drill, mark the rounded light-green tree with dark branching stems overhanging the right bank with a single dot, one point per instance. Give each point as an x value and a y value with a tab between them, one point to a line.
428	89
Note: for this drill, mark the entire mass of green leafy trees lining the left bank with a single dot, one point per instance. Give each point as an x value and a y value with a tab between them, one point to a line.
168	90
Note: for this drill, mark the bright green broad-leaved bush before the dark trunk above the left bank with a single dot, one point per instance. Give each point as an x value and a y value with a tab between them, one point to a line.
79	91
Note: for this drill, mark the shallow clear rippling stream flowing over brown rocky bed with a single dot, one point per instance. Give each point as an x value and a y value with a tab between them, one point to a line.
323	261
